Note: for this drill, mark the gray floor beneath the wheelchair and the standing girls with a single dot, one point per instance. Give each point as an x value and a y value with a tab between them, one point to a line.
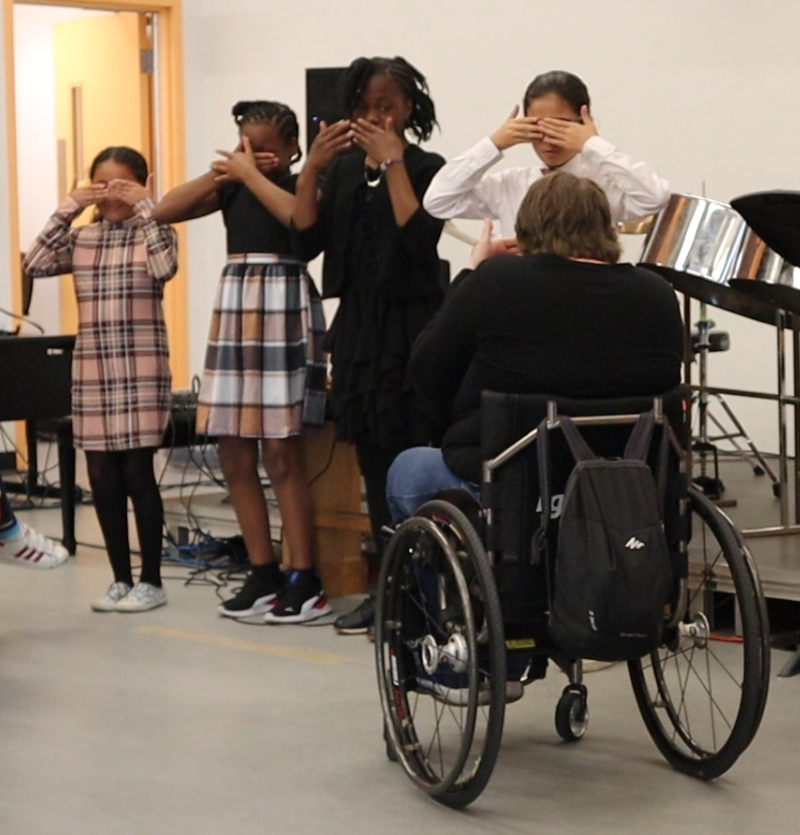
179	721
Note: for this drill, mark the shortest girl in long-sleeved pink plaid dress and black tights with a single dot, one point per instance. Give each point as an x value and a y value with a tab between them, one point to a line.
120	373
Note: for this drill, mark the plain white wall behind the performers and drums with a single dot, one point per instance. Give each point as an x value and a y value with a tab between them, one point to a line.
701	89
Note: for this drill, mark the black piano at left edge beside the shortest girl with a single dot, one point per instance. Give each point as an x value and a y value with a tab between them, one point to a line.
35	385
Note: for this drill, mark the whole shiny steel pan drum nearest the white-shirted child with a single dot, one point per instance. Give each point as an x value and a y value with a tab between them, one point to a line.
695	244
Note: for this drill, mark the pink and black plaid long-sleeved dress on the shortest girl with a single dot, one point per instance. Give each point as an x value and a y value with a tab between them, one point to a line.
120	373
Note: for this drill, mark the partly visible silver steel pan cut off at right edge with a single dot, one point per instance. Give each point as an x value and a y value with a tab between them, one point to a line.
762	274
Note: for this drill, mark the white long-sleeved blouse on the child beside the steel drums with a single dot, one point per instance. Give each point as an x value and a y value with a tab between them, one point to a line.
462	188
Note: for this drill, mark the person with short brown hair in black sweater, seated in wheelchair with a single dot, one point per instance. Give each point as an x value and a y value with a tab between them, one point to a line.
563	318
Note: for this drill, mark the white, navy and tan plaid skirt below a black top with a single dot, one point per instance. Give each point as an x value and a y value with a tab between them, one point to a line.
265	370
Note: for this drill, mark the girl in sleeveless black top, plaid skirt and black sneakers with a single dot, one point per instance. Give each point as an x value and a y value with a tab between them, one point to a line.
264	377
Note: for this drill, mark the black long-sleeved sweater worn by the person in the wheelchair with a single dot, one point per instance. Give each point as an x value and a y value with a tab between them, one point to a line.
542	324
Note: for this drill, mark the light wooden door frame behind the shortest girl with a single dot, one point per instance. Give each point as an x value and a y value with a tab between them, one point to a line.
171	145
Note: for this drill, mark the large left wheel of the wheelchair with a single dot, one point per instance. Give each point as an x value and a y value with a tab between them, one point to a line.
440	654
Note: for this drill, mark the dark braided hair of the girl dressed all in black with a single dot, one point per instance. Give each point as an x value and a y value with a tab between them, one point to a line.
410	80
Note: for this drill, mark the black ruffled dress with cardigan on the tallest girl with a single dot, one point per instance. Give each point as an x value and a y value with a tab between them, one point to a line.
388	281
